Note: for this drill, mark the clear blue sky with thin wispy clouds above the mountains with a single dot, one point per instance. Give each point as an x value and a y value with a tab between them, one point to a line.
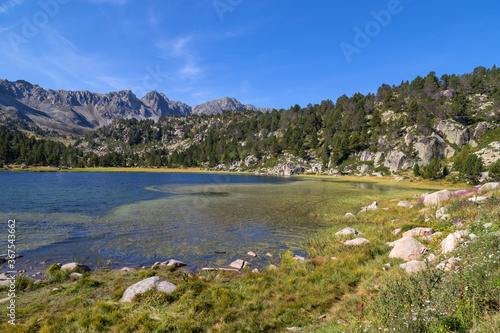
272	53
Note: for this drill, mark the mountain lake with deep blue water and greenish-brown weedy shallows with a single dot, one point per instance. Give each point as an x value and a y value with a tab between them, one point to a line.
138	218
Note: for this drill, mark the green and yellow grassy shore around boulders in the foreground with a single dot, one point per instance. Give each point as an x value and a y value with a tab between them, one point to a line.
338	289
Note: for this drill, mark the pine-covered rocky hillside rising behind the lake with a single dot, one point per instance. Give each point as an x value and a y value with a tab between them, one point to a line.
388	132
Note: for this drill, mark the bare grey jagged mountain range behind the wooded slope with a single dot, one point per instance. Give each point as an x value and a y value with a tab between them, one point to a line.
77	112
